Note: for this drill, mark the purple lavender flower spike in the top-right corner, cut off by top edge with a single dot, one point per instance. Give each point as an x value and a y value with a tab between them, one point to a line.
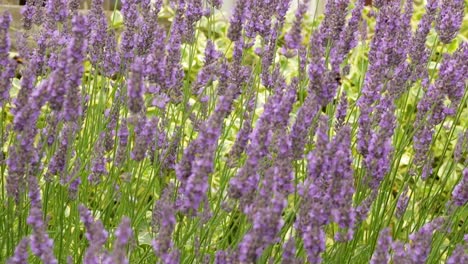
450	19
